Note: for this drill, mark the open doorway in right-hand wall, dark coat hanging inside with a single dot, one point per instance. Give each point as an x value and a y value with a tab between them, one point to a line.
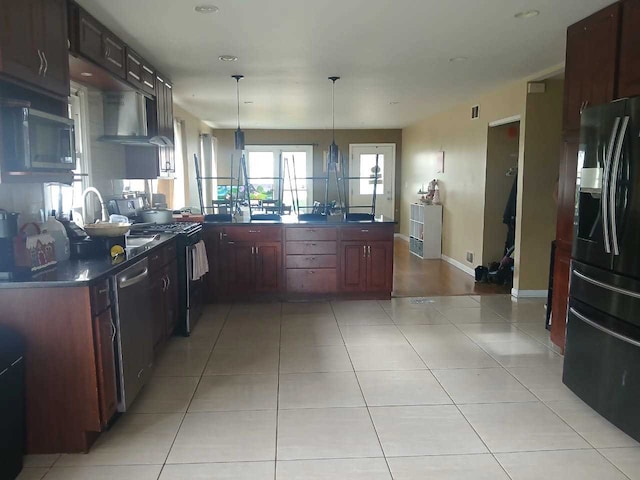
503	147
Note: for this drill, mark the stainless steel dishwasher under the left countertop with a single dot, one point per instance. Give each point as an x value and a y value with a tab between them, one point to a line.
134	346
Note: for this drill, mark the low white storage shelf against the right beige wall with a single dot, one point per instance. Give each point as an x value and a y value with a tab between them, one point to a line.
425	231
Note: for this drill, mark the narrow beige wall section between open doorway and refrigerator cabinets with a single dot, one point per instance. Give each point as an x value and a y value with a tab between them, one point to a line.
539	173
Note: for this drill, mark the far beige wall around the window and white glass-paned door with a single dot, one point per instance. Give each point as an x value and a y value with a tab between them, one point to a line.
320	139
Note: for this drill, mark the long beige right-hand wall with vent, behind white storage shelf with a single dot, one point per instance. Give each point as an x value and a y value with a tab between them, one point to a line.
462	184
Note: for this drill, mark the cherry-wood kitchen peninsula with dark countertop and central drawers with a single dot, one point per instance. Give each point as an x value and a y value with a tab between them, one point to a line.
291	259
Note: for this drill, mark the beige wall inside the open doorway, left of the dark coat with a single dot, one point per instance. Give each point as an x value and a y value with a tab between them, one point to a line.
502	154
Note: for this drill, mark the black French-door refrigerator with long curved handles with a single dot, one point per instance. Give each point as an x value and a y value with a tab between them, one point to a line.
602	355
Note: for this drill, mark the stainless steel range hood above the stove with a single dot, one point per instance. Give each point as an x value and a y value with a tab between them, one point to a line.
125	121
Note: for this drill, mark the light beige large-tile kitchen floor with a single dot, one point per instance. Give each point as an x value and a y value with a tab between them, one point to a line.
447	388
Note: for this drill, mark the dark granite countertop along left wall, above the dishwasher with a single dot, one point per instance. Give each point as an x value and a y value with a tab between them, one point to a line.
78	273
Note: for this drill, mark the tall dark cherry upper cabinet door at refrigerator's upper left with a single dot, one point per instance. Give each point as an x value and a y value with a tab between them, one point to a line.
591	64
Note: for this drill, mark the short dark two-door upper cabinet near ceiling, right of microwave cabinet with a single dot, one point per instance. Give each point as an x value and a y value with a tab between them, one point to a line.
94	41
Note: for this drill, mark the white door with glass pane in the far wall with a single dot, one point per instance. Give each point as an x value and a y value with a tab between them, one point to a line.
362	184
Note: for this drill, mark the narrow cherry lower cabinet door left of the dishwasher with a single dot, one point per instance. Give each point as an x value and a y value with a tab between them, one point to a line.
103	333
